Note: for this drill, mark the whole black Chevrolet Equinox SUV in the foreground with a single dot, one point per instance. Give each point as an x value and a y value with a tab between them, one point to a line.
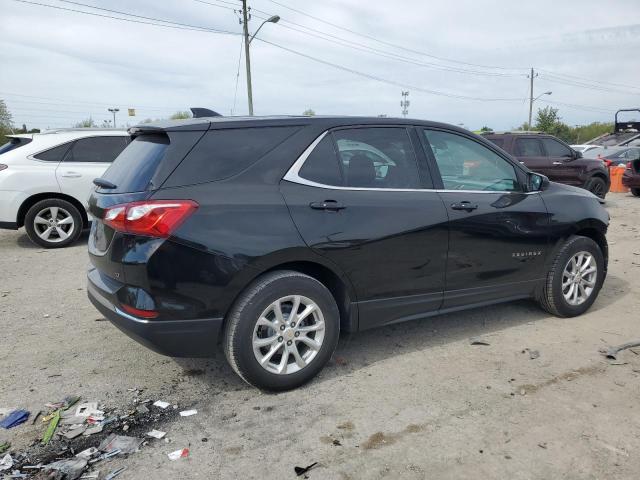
272	235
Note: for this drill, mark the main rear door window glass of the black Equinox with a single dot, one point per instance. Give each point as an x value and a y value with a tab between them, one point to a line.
377	158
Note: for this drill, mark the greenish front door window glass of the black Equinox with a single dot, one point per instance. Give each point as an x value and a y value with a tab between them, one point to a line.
465	164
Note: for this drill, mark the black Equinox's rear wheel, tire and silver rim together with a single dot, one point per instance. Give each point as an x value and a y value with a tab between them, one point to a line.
281	331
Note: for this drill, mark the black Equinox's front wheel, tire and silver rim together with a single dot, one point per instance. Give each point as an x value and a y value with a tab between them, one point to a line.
575	278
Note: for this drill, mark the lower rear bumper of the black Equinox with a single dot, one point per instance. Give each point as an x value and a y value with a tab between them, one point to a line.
175	338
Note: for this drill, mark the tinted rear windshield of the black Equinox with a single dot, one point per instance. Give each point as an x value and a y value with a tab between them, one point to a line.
134	168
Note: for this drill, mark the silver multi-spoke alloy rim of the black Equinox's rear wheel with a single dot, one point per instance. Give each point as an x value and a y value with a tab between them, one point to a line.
288	334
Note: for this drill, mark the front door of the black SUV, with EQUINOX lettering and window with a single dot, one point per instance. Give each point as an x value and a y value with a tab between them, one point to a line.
497	231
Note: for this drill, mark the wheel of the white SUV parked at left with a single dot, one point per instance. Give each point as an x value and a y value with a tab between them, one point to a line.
53	223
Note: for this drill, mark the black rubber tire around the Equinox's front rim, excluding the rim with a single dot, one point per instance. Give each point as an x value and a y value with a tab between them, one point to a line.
577	244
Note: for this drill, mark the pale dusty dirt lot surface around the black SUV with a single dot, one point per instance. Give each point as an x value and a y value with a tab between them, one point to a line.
410	401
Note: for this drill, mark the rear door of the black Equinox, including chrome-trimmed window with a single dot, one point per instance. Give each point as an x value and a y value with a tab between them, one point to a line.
360	197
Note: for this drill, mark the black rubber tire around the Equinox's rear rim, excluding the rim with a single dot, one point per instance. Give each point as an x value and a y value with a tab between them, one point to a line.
295	284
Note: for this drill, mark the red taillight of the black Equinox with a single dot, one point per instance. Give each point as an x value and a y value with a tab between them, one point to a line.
152	218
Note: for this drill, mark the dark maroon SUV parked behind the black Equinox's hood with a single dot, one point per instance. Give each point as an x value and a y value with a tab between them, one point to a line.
550	156
